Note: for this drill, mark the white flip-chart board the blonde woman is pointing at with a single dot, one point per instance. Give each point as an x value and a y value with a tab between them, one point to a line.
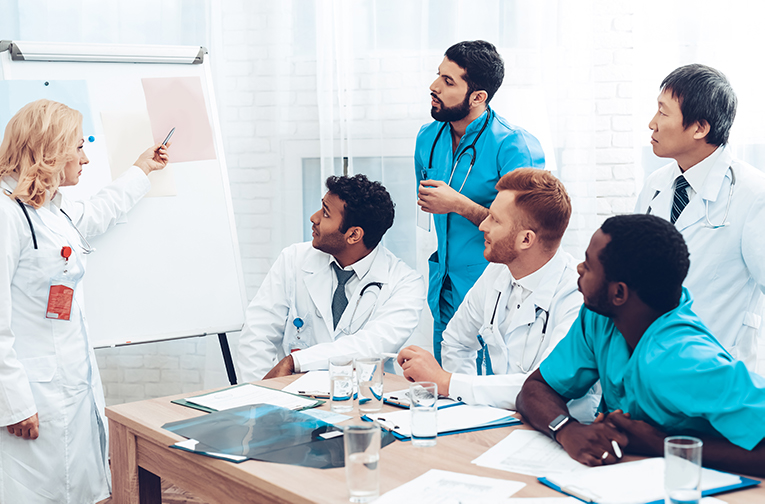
173	269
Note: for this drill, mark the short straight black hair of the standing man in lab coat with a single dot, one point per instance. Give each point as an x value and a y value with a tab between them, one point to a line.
704	95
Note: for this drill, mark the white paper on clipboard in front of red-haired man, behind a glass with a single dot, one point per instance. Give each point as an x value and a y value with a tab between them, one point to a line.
456	418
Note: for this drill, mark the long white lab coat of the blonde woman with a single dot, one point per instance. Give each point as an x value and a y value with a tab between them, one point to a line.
48	366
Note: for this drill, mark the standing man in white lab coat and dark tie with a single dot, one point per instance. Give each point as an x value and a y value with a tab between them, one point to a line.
715	201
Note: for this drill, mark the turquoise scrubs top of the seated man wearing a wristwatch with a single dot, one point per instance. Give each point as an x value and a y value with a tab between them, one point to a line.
678	379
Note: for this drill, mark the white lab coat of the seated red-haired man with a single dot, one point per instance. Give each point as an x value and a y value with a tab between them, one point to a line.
557	294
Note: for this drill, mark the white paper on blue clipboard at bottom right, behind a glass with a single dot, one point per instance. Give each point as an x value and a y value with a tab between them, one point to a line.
630	482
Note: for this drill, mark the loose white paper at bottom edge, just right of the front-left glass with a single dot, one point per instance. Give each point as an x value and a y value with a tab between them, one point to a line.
445	487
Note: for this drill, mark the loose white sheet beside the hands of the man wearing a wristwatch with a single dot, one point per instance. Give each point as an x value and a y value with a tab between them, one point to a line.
528	452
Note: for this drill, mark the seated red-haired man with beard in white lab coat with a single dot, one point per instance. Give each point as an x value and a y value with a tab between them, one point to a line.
520	307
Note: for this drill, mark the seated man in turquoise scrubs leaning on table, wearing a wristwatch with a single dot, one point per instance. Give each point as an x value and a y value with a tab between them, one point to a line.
661	369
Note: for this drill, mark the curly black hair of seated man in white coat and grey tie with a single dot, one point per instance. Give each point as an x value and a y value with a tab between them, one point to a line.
367	205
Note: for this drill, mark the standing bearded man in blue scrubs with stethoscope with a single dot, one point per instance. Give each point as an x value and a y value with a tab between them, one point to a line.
459	159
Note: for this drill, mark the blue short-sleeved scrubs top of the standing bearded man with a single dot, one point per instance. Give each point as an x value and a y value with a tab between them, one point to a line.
501	148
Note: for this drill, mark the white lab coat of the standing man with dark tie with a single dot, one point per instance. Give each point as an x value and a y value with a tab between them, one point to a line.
727	272
